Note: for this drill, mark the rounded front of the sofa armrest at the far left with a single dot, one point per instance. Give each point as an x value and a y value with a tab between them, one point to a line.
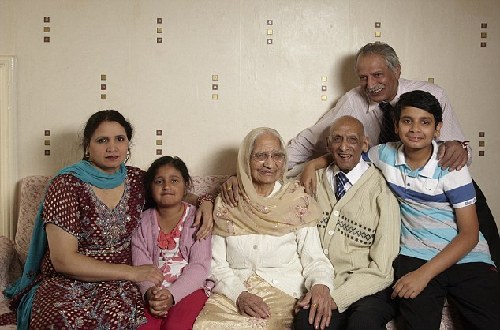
12	266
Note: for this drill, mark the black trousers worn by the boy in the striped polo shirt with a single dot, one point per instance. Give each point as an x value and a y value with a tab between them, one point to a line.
473	289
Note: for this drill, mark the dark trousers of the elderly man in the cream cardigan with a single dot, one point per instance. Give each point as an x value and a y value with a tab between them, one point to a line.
371	312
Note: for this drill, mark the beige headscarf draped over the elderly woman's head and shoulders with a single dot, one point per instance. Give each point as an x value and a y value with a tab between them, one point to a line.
286	211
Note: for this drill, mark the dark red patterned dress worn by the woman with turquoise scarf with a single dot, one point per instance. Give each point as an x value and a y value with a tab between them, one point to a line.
104	234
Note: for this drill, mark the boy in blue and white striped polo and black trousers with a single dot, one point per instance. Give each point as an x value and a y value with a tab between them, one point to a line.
442	252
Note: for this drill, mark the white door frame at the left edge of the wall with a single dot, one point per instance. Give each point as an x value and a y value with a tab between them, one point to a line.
8	150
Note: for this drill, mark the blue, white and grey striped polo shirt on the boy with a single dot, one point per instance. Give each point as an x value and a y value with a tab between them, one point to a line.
427	197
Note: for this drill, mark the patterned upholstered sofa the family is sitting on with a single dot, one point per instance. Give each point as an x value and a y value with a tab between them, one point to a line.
30	192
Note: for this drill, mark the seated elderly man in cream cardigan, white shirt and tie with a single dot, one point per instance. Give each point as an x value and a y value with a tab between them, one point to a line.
359	232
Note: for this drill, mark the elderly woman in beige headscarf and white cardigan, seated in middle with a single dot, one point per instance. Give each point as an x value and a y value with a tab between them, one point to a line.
266	251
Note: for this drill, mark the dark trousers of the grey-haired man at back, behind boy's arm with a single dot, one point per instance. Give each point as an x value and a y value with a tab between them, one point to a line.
487	225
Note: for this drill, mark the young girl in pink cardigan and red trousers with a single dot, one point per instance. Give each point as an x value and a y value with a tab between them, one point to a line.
165	238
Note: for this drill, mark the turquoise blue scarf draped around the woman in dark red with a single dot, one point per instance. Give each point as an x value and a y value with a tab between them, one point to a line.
86	172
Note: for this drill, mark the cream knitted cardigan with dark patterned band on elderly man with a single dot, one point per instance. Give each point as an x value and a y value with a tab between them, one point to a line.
360	234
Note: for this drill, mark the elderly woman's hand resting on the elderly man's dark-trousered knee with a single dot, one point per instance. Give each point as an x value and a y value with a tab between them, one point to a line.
320	305
